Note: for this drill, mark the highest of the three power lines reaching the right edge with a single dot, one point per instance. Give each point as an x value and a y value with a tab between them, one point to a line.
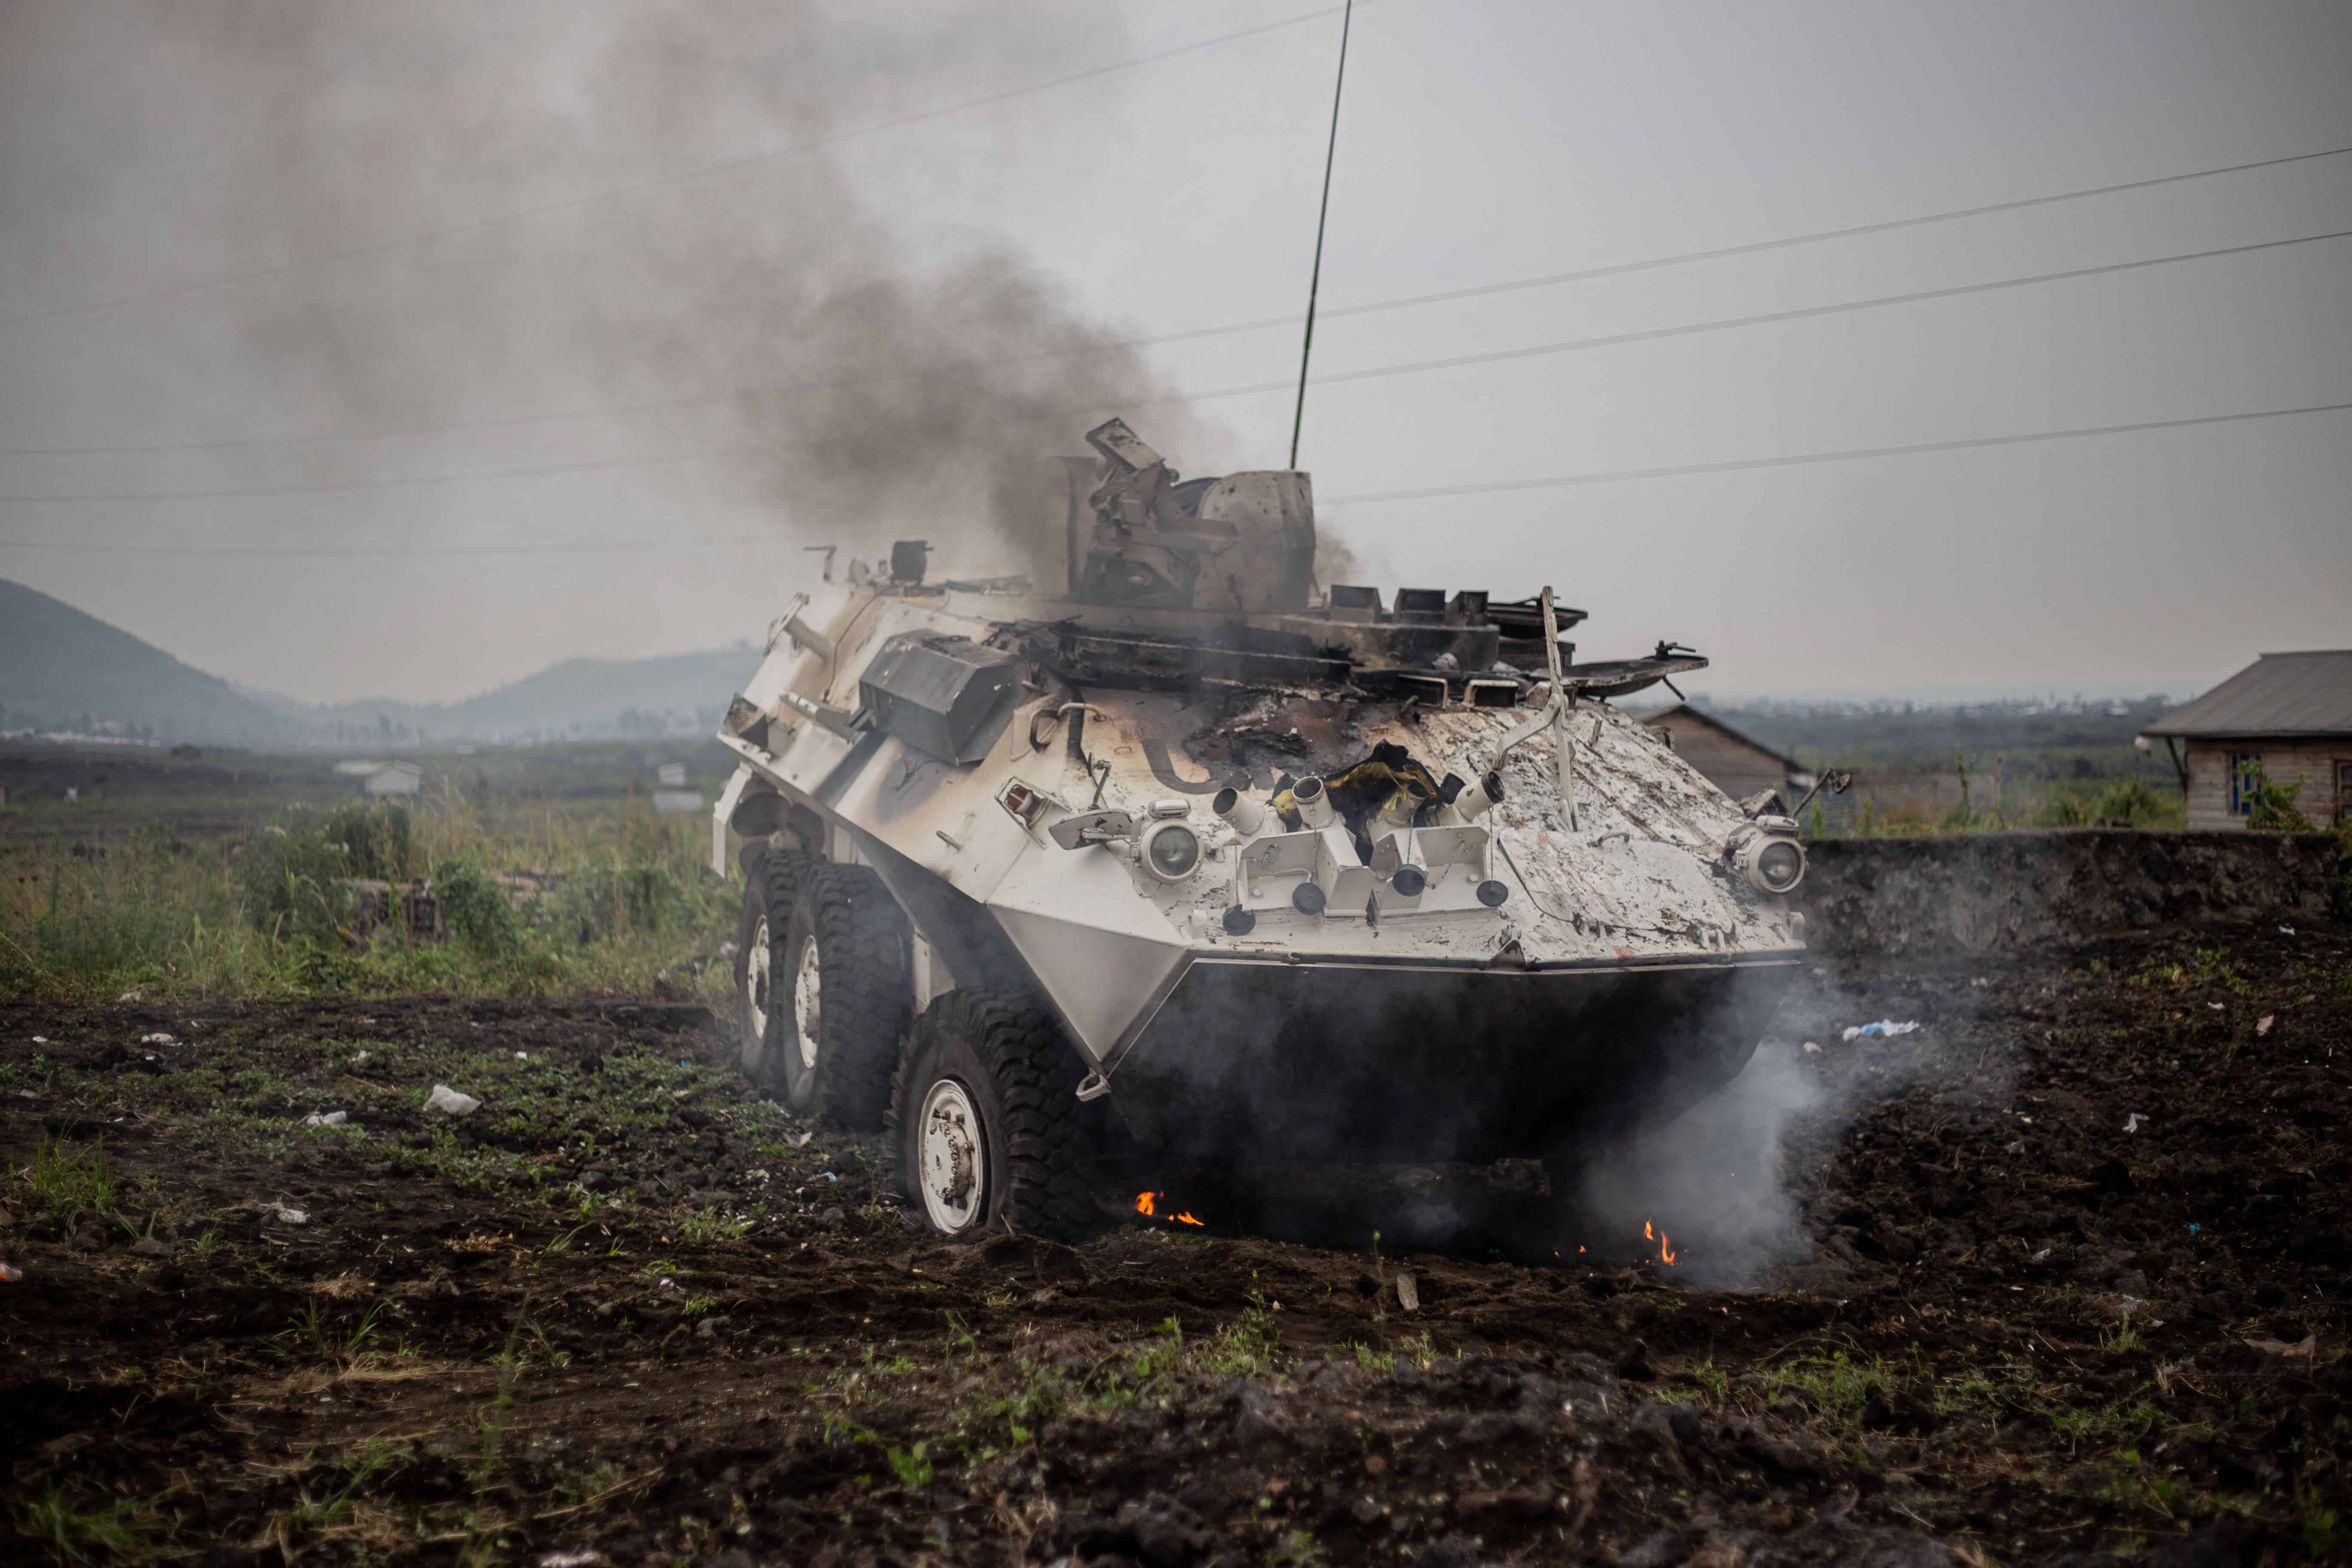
1196	333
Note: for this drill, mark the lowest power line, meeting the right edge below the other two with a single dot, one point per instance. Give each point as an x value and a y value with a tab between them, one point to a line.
1619	476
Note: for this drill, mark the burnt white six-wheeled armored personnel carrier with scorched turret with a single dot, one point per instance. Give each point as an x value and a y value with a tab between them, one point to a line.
1158	855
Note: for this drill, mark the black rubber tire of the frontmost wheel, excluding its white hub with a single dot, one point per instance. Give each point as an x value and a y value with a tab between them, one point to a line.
1022	1080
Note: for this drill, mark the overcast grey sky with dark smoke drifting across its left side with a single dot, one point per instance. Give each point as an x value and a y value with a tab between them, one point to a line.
582	255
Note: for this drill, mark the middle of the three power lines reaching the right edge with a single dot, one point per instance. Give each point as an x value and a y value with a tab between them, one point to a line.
1250	389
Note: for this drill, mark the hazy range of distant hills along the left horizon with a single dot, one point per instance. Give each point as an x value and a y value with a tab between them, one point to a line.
69	671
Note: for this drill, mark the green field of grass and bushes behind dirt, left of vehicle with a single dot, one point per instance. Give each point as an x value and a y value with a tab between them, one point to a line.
248	878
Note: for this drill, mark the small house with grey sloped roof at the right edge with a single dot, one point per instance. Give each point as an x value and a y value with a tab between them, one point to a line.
2290	713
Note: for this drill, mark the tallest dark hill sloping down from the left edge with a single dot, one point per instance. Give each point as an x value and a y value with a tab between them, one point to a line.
69	671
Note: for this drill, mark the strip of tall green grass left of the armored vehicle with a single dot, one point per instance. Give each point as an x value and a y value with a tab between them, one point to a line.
615	897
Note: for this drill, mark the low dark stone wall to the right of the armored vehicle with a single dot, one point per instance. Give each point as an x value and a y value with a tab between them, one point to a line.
1989	892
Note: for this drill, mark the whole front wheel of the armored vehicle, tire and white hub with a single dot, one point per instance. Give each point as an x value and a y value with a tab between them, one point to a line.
987	1123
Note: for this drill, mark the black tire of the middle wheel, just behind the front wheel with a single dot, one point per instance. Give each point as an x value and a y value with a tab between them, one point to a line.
864	998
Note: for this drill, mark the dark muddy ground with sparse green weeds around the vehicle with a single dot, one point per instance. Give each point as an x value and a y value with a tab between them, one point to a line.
2071	1282
